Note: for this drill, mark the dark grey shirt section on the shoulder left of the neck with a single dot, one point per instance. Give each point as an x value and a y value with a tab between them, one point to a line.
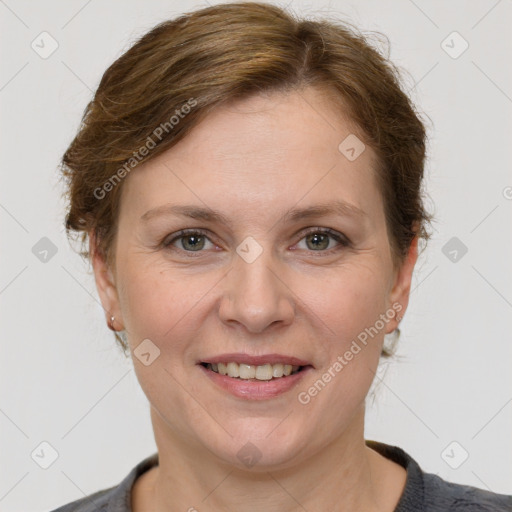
112	499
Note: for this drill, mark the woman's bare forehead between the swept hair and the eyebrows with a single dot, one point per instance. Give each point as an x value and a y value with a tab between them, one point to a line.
258	154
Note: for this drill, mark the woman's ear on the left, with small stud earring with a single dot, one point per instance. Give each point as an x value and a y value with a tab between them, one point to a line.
105	284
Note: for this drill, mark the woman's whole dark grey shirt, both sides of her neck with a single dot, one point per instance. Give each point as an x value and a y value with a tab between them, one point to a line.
423	492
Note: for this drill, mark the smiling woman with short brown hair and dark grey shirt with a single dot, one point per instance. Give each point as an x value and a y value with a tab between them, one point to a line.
249	185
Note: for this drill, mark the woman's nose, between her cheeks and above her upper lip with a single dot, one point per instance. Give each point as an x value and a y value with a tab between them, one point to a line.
256	296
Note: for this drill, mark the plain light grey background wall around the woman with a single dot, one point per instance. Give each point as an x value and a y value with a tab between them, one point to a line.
64	381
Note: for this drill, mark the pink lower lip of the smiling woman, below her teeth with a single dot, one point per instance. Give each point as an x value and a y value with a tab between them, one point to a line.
256	389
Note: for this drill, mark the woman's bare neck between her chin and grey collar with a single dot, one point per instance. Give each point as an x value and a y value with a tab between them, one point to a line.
344	475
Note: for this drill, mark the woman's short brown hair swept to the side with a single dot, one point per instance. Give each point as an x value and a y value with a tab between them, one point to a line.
225	52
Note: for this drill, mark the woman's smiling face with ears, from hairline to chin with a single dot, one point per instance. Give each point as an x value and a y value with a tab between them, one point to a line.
259	281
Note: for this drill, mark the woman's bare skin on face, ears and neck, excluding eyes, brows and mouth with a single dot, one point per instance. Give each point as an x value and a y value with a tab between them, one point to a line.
253	160
